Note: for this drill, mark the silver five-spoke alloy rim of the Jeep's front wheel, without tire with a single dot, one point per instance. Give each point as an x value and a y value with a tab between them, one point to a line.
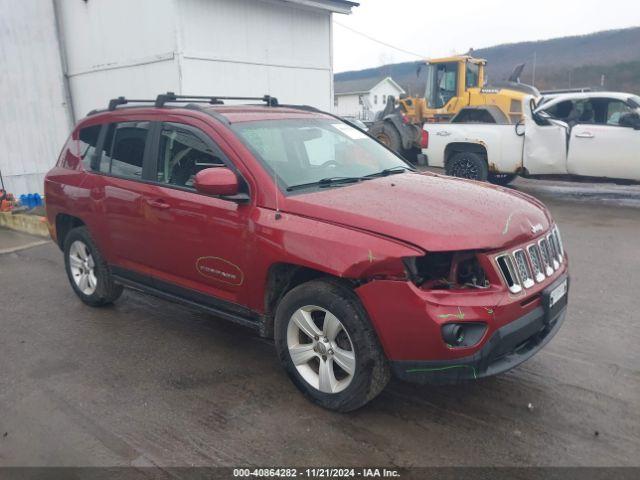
321	349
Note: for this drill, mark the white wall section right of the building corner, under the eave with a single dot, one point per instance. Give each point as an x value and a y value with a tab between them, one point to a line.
249	47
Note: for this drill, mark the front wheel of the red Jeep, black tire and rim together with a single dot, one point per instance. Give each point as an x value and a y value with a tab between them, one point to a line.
351	342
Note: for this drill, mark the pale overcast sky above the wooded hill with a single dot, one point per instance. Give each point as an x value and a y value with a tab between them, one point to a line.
431	29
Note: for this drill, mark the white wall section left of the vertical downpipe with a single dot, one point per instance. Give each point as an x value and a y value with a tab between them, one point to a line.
33	116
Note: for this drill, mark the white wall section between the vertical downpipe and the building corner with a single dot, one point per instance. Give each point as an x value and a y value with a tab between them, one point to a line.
119	47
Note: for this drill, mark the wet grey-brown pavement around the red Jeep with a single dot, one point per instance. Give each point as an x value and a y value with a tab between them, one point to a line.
150	382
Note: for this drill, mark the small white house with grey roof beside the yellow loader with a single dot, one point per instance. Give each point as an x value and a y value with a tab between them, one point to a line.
363	98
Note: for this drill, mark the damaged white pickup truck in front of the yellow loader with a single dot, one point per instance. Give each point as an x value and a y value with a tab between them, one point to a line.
588	134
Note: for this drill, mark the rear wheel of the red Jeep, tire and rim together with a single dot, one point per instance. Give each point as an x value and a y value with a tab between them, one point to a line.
87	270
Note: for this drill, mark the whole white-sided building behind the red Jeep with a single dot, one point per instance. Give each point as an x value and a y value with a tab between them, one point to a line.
63	58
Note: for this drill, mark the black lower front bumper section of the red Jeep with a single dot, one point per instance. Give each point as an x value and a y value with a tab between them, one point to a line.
508	346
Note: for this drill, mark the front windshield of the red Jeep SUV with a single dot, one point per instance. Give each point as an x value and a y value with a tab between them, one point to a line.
316	152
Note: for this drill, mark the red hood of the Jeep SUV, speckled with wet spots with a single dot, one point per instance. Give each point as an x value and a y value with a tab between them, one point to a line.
429	211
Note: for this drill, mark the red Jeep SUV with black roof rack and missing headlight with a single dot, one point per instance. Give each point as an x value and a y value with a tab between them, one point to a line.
299	225
